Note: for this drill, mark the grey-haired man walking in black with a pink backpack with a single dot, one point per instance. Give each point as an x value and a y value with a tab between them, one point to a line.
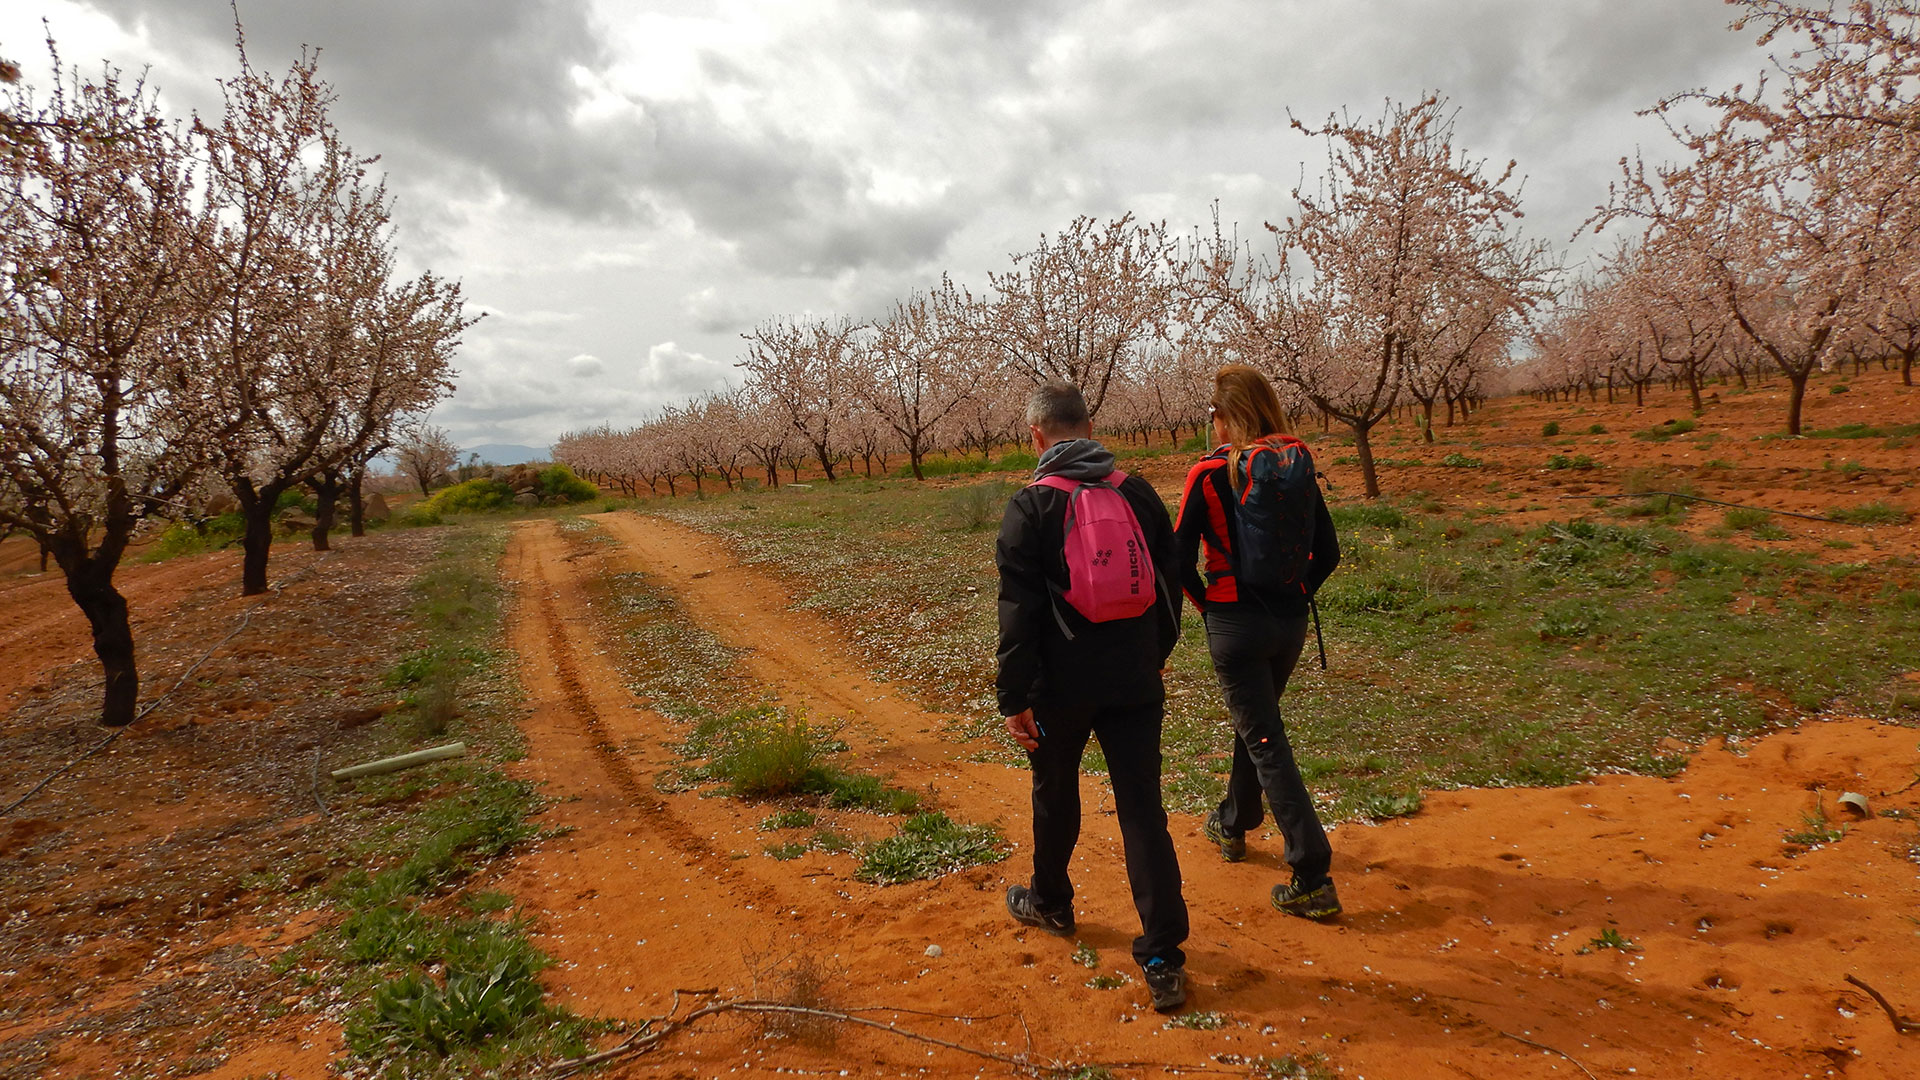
1088	622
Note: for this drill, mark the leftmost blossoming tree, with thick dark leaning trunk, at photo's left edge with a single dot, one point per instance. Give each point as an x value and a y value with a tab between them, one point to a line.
101	406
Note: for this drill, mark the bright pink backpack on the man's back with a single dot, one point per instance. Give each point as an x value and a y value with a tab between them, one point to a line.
1111	574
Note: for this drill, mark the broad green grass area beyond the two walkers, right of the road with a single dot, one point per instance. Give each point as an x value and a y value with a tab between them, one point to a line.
1464	650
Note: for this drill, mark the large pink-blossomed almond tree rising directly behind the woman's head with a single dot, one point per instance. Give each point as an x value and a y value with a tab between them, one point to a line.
1401	237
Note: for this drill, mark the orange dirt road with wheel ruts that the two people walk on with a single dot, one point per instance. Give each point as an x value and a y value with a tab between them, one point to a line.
1472	945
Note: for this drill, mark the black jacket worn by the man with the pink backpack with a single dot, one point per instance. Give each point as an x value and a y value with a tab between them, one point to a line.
1105	664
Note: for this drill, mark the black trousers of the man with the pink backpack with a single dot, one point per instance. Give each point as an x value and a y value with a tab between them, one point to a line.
1130	737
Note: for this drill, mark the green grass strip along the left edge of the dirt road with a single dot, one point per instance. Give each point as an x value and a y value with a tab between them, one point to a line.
433	985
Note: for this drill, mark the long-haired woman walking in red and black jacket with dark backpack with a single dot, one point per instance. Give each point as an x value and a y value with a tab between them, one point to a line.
1270	543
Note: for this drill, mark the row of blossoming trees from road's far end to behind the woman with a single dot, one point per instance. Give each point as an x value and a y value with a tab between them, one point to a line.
1403	282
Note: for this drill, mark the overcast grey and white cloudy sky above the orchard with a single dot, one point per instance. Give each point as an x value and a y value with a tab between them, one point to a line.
627	187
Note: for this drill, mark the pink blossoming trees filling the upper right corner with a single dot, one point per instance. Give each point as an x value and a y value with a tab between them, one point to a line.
1787	237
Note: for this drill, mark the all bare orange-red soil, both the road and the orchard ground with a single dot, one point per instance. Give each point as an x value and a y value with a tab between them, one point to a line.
1460	952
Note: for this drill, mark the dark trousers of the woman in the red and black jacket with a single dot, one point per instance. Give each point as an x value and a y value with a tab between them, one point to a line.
1255	652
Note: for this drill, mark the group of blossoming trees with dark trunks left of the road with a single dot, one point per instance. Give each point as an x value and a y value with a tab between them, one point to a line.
189	307
